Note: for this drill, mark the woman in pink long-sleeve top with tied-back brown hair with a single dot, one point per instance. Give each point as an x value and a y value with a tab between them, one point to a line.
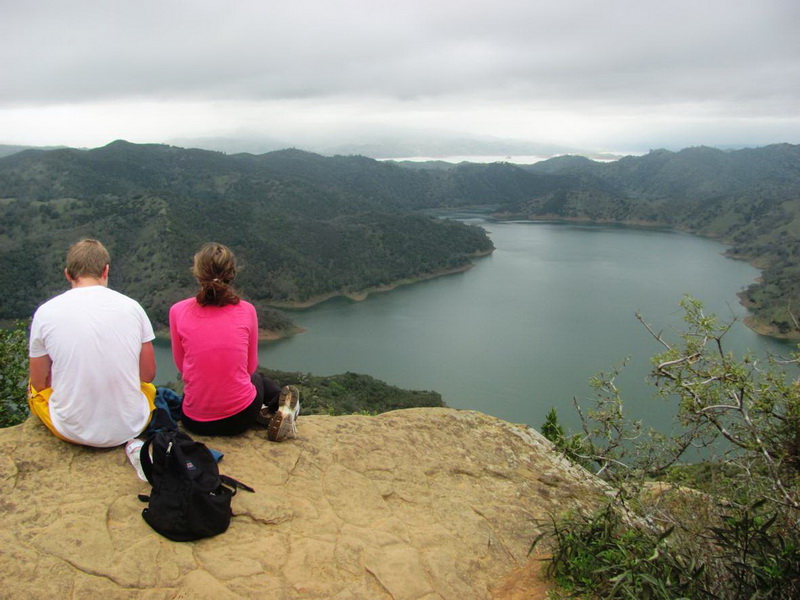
215	348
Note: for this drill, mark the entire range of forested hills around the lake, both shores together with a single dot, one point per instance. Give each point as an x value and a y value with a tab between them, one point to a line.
307	225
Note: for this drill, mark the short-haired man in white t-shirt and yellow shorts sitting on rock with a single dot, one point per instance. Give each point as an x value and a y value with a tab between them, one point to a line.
91	357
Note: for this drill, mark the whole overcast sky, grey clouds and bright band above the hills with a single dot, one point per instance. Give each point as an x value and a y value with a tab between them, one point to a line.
616	75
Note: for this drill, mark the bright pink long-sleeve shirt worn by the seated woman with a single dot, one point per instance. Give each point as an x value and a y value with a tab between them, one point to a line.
215	348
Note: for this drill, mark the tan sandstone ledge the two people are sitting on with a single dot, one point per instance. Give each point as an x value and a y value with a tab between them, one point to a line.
412	504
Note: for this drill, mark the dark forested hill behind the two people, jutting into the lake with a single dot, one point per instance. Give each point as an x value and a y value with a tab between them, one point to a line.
303	225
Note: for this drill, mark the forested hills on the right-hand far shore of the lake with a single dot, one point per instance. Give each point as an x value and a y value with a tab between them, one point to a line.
748	198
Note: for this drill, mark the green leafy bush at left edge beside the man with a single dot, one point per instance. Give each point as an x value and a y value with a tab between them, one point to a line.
13	374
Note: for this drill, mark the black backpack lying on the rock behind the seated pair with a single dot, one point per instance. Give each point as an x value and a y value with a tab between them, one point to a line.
190	499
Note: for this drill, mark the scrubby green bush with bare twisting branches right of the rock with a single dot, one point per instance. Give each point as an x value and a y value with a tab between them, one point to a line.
728	527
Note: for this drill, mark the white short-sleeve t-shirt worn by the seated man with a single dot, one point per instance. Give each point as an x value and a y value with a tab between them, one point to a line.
94	337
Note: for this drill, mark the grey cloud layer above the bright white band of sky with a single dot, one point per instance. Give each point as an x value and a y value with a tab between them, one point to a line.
692	60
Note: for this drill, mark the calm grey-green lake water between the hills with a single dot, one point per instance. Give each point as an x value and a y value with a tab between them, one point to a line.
526	328
